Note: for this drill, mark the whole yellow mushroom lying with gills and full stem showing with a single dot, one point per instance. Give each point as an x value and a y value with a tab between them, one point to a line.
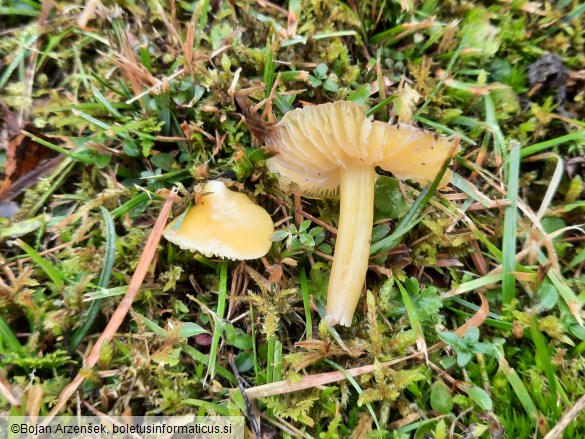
334	148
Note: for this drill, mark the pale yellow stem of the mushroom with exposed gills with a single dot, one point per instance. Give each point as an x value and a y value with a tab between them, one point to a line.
352	248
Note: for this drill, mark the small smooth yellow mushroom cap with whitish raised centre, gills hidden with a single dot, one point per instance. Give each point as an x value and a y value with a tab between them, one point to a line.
223	223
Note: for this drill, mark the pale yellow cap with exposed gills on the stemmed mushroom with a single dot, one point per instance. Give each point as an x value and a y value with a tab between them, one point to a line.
314	143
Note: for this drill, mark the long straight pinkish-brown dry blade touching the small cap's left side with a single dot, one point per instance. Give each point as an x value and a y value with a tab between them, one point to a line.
123	308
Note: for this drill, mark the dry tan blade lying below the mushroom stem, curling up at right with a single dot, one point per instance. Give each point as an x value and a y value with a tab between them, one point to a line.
310	381
